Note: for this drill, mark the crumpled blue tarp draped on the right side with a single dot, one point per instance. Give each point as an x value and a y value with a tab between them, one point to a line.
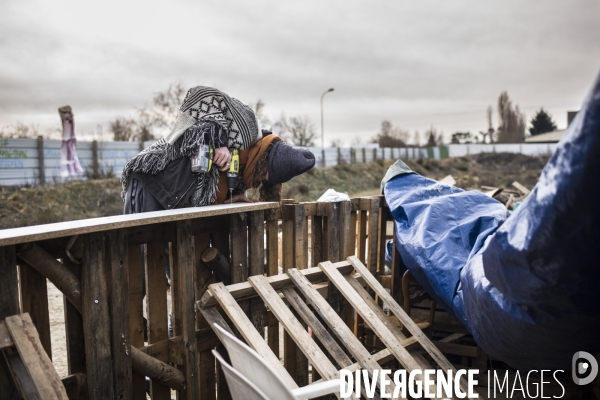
527	286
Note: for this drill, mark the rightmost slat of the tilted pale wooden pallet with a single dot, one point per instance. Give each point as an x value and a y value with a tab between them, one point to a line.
406	321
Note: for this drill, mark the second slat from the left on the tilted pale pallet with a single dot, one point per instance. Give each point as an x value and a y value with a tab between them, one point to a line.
308	346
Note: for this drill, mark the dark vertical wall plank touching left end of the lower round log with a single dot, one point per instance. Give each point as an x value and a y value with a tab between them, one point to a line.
119	290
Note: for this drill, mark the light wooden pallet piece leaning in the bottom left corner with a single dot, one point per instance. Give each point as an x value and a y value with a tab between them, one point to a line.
30	367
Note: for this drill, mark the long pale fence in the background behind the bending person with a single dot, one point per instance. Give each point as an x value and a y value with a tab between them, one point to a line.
21	159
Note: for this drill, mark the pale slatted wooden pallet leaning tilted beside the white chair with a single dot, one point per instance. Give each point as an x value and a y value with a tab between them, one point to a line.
333	346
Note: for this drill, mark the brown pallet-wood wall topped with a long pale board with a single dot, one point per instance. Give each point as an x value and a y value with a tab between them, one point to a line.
111	271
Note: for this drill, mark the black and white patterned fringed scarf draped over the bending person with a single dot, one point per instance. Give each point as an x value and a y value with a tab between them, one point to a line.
204	114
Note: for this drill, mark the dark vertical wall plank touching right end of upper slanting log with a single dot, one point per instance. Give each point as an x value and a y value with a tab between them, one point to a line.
96	328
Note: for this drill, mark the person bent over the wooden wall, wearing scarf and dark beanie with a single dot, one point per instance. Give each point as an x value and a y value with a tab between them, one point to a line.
161	178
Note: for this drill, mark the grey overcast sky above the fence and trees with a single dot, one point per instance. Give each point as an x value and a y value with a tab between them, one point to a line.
417	63
